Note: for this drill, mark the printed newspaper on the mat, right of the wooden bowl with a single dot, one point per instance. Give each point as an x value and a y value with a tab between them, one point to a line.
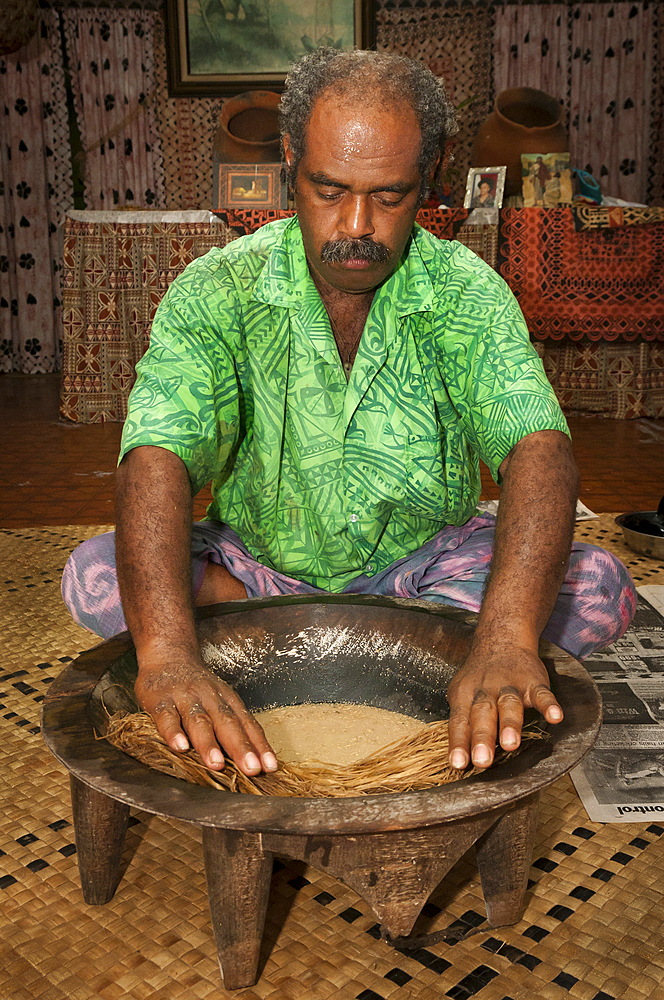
621	780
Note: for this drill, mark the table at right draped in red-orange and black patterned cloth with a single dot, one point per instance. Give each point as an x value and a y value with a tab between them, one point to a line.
590	282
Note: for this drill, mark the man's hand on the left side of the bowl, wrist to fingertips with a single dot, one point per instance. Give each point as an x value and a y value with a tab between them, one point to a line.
193	708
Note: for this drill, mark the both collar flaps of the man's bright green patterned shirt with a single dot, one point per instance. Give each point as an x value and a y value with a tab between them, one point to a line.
285	280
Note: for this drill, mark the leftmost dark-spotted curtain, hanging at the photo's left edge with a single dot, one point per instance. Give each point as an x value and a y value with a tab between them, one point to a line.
35	192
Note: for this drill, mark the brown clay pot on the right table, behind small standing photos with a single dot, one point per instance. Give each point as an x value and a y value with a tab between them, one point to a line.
524	120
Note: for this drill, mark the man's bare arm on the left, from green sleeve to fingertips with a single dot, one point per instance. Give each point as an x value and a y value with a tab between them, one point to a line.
189	704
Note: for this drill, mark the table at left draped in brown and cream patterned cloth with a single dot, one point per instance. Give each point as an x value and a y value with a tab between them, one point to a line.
117	267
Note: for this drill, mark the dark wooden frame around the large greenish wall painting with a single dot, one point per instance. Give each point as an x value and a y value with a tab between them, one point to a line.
183	83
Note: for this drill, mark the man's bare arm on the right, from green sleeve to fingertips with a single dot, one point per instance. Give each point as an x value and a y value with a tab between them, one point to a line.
503	672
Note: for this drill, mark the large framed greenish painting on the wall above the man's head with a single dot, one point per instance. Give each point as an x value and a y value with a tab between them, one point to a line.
221	47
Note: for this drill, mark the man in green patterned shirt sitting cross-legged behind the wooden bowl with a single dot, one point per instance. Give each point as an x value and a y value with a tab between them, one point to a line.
337	376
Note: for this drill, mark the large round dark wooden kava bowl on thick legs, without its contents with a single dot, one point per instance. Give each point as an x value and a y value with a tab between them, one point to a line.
392	849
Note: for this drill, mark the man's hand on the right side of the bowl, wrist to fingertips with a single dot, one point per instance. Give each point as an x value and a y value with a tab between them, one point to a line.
488	696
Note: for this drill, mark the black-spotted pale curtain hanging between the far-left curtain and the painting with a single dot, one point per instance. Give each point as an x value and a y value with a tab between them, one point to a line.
111	61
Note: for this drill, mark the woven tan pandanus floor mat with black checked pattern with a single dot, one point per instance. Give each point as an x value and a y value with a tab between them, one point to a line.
592	929
